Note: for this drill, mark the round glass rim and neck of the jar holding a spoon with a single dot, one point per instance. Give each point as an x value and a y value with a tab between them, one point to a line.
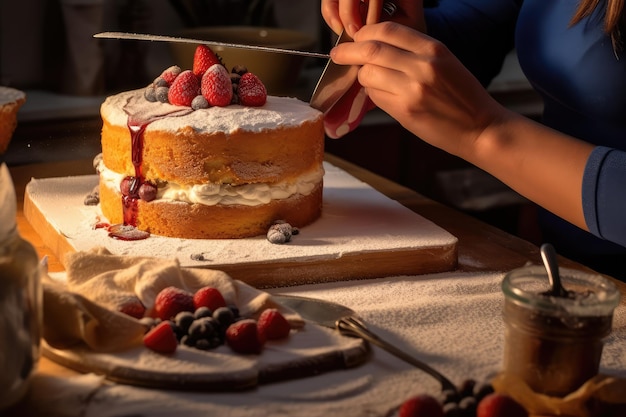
590	294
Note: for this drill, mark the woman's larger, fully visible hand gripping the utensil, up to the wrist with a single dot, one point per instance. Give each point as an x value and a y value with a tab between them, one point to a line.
421	84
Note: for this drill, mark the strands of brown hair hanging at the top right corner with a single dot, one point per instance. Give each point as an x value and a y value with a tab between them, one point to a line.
614	19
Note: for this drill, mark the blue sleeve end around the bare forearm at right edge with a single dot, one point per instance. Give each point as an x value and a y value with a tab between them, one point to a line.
604	194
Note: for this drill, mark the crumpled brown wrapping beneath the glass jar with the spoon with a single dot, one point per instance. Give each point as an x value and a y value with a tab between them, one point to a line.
600	396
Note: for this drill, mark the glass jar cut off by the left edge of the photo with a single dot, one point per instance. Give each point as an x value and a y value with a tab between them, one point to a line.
20	301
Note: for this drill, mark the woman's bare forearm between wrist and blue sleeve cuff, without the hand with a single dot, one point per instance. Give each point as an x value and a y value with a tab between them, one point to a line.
541	164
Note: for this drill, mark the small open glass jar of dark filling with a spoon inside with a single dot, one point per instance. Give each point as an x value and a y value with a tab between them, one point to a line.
554	344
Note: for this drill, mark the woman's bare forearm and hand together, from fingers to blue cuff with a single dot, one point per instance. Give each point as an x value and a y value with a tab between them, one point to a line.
420	83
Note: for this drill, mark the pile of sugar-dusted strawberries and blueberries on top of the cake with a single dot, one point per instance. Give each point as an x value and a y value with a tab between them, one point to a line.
207	84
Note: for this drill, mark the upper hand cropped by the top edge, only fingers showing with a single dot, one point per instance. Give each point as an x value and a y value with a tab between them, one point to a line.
351	15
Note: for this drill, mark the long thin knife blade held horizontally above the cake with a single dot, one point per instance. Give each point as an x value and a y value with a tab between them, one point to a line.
163	38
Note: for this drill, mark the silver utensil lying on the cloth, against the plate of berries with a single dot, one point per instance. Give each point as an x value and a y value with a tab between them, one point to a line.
345	320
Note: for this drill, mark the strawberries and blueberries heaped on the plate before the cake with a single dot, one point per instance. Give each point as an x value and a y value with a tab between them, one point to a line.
204	321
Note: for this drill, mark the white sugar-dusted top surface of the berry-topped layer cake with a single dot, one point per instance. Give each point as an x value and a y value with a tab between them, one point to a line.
277	111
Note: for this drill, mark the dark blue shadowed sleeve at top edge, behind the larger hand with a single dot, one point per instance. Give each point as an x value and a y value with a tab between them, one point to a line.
479	32
